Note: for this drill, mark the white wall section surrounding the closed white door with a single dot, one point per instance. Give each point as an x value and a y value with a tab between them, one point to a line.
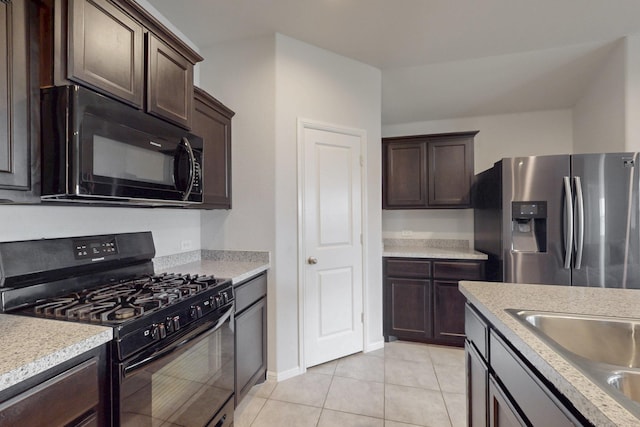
315	84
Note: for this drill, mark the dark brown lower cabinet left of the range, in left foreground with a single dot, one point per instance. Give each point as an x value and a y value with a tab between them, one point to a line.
73	396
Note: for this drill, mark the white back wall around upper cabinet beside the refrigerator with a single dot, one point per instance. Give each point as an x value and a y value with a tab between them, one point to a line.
506	135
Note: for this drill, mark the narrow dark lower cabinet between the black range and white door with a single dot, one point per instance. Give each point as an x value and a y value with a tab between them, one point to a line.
251	334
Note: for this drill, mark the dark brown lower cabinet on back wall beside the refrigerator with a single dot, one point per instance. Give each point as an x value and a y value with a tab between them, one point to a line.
422	301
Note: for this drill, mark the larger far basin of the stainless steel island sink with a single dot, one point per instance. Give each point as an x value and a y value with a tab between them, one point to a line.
613	341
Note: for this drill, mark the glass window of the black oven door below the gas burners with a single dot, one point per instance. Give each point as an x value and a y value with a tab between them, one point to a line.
185	388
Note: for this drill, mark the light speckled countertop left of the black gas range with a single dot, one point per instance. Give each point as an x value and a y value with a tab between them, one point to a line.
32	345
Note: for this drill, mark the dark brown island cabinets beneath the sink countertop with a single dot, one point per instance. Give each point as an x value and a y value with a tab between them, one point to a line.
502	389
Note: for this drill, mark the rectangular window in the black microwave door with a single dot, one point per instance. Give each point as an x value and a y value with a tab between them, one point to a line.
115	159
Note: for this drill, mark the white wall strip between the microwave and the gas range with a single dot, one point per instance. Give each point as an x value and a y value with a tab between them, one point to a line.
170	227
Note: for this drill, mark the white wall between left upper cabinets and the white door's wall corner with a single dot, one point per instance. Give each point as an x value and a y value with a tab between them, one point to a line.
241	74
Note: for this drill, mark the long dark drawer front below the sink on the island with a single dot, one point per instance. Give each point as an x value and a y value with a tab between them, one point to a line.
534	399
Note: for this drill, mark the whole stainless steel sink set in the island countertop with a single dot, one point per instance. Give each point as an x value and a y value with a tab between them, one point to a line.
606	349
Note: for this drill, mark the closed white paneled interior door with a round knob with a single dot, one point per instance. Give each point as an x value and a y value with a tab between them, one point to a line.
332	246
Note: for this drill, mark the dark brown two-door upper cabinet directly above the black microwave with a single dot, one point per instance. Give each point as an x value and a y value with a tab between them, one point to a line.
108	44
